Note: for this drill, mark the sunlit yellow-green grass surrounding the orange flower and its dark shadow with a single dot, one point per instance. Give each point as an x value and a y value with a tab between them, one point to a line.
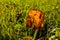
12	28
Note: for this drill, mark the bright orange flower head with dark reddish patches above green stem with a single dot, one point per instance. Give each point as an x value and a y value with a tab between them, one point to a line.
36	18
